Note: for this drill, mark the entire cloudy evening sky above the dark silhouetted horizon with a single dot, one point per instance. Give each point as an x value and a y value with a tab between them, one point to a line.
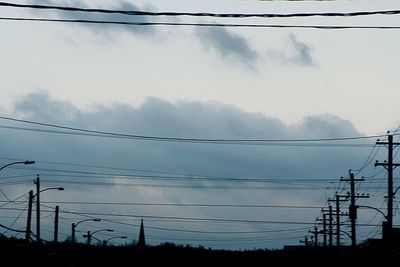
196	83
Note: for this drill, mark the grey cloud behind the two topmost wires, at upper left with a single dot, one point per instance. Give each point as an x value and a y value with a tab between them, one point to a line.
101	29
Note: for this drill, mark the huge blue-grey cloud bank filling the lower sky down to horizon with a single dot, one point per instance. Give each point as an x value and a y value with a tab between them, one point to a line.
155	166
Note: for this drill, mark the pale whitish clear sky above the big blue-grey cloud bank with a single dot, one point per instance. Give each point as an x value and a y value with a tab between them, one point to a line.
284	73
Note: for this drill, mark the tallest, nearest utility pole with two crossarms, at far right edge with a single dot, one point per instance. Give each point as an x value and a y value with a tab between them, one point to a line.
389	166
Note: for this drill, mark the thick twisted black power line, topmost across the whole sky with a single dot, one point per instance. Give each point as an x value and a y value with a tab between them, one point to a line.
203	14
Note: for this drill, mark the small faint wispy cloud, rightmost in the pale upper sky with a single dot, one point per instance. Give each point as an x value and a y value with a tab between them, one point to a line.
297	53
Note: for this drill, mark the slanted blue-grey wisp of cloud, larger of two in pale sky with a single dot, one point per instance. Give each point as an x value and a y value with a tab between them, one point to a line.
228	45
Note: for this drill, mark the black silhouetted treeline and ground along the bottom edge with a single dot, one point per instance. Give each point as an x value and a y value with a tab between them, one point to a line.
16	252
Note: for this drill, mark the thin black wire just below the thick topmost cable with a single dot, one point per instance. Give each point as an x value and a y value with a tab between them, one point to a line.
112	22
